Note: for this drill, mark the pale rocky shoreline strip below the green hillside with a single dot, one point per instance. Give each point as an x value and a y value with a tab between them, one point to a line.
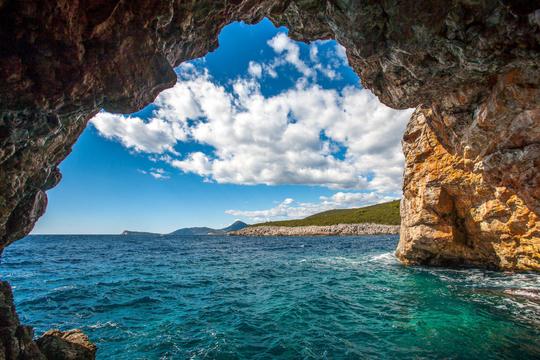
312	230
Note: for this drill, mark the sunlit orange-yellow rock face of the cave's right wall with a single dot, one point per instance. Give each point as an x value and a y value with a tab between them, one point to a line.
452	215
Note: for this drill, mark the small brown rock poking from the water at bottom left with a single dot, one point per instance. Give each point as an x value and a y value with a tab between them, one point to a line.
68	345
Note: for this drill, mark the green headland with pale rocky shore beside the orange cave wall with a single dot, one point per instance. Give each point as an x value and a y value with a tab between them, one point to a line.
370	220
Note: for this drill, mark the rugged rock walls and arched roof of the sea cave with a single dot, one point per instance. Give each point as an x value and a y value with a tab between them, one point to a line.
470	68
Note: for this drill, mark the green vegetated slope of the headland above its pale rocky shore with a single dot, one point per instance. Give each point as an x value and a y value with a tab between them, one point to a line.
385	213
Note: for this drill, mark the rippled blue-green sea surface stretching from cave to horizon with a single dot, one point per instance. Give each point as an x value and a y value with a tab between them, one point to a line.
268	298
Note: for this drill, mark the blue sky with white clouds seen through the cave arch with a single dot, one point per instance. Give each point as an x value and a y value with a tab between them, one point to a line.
263	128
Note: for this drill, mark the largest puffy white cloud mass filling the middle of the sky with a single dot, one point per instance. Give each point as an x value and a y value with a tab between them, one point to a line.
340	139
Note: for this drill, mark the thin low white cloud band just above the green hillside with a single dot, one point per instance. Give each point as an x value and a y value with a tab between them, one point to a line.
291	209
